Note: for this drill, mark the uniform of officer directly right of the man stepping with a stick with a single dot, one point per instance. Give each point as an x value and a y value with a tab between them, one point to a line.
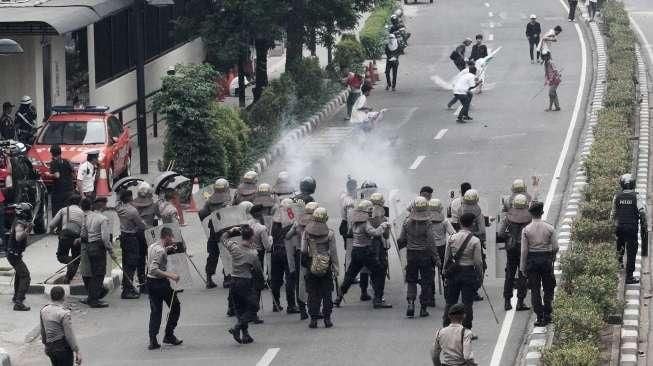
245	287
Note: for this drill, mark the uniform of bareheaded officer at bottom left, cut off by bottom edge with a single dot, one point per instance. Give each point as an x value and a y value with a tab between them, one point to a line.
57	334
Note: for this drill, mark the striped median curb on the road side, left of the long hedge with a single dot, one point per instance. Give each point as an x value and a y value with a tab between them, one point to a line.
539	337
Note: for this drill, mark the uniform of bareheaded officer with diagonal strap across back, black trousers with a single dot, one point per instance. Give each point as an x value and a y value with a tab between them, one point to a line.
464	283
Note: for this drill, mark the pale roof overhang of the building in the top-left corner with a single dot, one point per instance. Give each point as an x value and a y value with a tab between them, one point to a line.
55	16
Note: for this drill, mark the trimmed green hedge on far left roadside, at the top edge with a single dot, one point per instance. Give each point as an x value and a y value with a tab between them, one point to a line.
374	35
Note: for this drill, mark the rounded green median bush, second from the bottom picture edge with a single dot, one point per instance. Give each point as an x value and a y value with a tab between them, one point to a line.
576	318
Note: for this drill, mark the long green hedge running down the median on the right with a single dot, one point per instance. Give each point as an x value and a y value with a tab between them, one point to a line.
590	271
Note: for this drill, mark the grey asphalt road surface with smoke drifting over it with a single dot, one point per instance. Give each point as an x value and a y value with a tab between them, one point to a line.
418	143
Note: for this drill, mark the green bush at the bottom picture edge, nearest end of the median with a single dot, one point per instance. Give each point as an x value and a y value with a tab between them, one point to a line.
581	353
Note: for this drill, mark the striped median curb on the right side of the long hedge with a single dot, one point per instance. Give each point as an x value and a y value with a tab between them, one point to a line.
630	328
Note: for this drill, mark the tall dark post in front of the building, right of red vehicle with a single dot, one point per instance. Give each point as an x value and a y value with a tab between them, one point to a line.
141	113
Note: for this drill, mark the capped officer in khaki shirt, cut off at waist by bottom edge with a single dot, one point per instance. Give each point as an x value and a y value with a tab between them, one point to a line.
453	344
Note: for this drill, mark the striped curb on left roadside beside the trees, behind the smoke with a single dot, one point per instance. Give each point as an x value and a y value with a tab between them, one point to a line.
311	124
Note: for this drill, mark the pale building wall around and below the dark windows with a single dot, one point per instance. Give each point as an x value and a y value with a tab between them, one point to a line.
122	90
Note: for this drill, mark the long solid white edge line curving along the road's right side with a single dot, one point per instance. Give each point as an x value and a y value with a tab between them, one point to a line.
507	321
